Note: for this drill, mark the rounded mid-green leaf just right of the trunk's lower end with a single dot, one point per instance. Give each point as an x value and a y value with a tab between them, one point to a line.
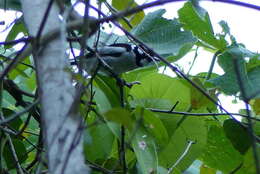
98	142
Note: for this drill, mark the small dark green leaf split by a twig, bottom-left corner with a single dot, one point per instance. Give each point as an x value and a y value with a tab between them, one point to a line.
20	151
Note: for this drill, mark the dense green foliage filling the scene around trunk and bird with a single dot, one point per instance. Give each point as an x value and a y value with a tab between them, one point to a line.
163	124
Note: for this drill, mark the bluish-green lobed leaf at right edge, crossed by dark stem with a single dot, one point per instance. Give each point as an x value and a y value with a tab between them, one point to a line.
228	82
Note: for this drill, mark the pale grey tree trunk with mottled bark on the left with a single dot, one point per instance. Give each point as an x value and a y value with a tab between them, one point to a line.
62	129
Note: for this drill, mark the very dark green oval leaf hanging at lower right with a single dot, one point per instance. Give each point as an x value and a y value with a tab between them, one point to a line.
237	135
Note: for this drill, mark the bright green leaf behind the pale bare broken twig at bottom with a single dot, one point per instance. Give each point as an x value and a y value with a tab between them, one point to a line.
191	129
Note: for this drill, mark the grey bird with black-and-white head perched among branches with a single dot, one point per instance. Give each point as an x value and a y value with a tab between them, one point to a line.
116	58
